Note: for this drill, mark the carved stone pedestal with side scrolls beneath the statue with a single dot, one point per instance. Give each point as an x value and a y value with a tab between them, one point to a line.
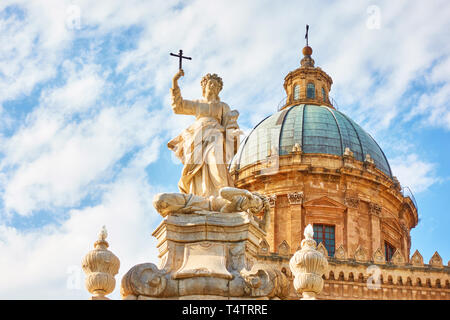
207	255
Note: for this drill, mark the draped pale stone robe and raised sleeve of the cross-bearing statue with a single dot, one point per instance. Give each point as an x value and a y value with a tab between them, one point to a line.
206	147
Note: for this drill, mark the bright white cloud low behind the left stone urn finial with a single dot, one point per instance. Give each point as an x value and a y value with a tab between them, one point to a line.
46	264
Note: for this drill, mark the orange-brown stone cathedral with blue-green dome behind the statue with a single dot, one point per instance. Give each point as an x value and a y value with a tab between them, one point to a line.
329	172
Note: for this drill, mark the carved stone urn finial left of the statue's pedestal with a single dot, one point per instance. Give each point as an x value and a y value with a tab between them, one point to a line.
100	266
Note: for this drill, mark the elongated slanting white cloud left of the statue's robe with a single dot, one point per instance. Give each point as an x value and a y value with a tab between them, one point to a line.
76	155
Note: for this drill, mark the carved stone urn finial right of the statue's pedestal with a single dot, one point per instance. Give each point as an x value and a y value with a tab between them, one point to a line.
308	265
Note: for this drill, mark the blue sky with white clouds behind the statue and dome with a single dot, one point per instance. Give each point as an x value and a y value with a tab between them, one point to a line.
85	113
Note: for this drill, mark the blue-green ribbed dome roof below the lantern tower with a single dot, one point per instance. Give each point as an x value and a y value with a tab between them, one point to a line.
317	129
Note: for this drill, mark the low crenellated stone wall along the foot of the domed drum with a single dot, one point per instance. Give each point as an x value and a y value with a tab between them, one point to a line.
359	280
